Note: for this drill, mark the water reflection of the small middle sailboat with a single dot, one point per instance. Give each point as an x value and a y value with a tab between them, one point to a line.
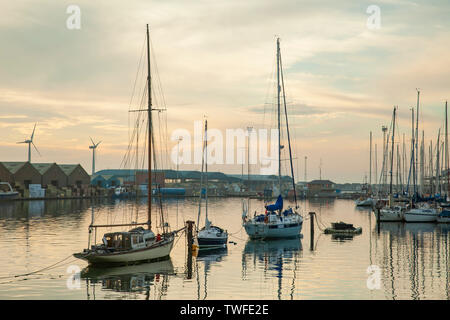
207	258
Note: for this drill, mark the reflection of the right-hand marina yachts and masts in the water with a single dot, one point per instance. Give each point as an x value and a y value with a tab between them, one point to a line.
412	257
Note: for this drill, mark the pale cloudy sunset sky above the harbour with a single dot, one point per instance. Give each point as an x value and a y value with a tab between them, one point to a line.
217	58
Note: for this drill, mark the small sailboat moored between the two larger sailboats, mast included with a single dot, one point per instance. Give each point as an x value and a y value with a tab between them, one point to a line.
209	236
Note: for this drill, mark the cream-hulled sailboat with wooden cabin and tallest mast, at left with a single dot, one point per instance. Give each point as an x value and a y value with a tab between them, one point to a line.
138	244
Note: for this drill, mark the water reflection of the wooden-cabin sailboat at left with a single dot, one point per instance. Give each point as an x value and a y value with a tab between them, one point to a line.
134	280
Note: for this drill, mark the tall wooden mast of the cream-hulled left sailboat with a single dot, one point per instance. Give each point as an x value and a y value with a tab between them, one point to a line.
149	111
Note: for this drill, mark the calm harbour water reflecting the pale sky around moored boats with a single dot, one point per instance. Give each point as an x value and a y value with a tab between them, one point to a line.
413	259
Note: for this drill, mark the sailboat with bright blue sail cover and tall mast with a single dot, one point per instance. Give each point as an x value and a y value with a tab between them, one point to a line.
276	222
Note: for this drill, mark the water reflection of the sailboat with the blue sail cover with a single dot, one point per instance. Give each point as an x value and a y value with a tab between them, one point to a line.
278	258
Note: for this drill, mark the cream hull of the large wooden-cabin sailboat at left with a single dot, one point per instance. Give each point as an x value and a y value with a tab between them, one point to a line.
157	251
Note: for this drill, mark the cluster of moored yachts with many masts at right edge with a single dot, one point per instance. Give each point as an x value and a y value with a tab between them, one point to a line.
411	187
